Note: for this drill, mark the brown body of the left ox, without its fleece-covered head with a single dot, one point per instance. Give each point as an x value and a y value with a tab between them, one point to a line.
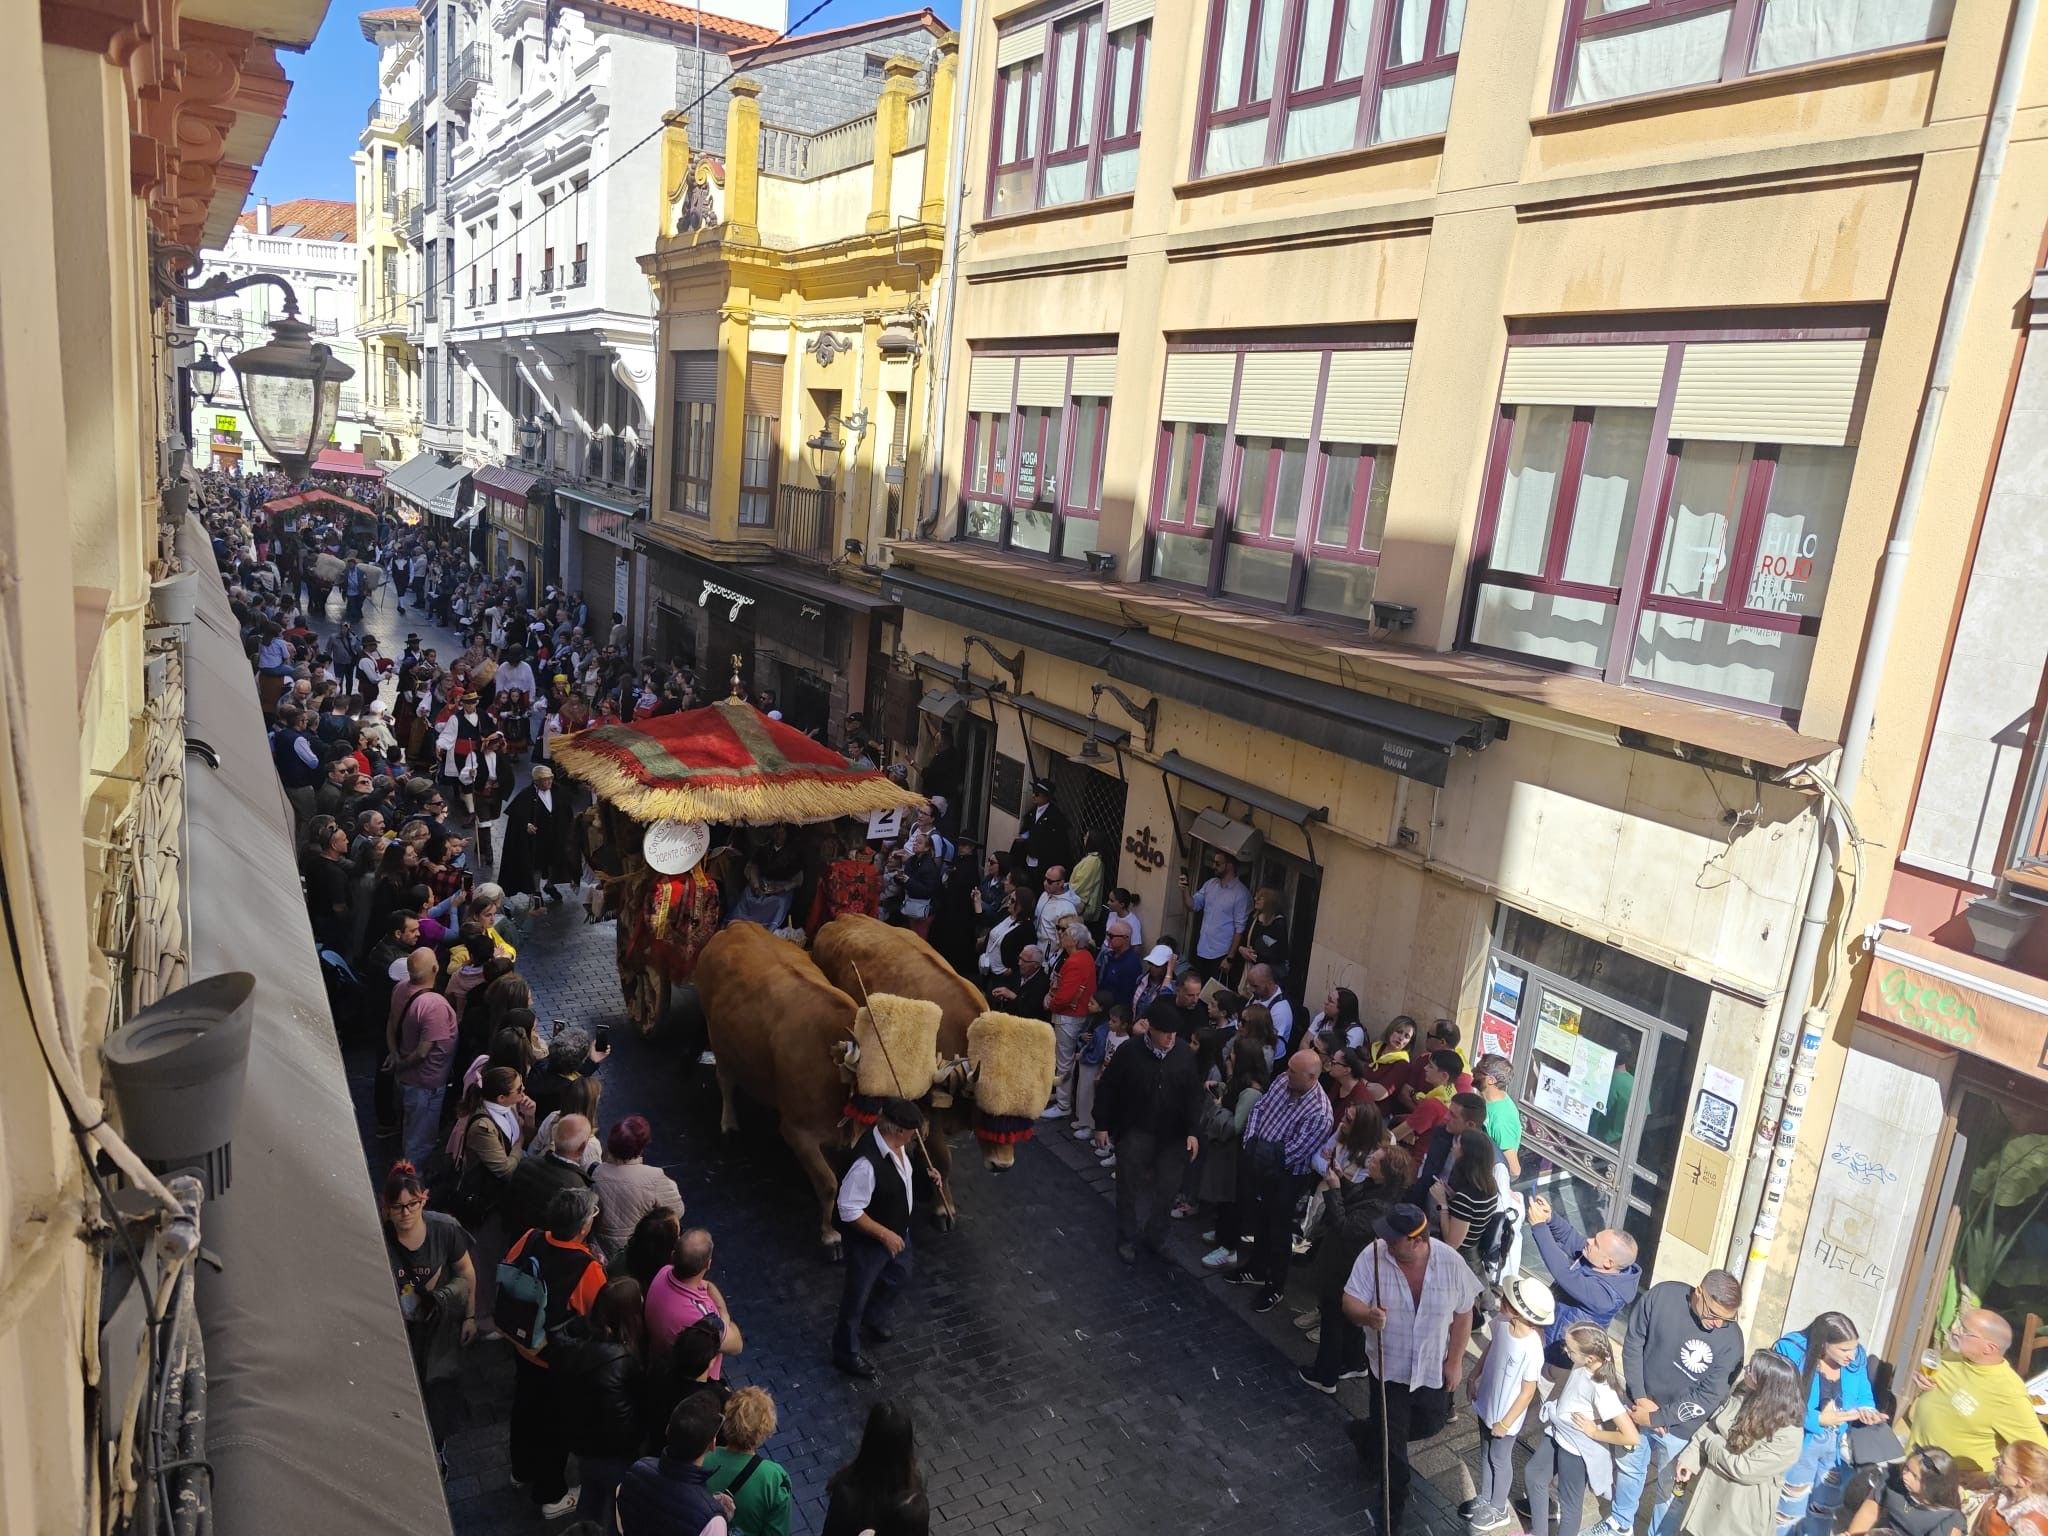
779	1031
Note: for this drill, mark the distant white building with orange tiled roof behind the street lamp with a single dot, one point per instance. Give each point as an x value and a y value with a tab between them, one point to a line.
312	245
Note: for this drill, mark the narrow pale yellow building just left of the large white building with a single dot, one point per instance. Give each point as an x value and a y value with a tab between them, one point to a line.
390	208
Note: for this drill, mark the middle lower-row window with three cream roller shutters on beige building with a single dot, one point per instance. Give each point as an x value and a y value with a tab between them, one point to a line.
1275	468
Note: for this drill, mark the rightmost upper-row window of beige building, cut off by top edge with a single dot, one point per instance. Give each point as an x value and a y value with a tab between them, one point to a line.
1633	48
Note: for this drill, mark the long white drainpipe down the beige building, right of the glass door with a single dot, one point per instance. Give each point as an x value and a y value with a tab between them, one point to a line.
1801	1029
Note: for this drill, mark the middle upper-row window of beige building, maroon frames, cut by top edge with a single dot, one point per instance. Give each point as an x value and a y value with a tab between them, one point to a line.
1302	79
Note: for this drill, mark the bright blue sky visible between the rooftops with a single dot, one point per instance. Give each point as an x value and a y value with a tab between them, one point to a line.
337	79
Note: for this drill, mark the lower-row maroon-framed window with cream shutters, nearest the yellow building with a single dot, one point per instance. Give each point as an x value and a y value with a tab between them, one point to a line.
1037	431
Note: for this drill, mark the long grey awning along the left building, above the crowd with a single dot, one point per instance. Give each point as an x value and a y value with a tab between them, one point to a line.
300	1220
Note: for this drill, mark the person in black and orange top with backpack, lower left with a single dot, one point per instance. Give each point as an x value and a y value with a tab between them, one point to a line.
546	1279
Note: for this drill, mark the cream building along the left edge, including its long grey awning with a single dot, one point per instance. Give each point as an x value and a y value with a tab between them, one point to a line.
142	847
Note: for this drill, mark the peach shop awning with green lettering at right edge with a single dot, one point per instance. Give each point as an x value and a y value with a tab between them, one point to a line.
1959	1000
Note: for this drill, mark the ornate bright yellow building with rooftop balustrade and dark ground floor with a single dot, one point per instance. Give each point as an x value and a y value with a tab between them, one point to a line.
796	357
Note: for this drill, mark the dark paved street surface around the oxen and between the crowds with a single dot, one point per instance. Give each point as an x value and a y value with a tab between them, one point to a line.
1056	1390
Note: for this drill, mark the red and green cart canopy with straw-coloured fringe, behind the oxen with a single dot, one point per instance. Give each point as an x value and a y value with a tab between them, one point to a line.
724	763
